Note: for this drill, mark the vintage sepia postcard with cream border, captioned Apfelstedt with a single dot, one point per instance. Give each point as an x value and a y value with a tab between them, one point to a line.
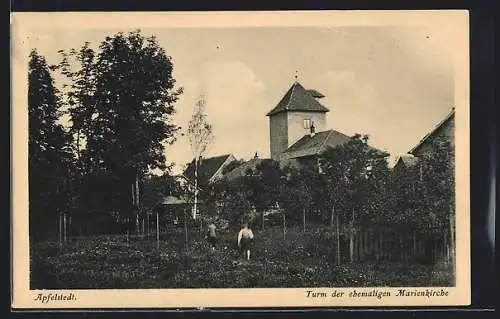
240	159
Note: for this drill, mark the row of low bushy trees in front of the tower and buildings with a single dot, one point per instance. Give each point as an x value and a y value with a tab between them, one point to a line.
348	188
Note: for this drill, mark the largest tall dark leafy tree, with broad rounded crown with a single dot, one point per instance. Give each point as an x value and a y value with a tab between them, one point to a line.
122	99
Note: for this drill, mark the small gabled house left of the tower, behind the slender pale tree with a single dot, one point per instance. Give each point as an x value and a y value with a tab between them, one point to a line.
209	169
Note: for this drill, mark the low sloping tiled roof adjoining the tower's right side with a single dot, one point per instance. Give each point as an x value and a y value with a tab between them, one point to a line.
312	145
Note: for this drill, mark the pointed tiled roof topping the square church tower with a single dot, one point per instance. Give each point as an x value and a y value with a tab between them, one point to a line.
297	98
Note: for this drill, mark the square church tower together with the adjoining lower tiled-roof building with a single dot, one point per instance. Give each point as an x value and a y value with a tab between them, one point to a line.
298	128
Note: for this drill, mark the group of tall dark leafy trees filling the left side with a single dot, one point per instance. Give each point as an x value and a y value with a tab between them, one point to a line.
119	101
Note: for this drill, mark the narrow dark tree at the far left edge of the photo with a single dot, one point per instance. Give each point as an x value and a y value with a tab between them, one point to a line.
49	156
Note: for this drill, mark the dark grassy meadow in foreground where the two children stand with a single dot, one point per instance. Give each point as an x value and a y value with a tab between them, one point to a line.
303	260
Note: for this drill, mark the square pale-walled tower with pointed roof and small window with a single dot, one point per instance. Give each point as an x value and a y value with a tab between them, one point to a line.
298	113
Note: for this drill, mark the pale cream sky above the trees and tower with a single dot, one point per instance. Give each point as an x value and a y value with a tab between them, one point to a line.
394	83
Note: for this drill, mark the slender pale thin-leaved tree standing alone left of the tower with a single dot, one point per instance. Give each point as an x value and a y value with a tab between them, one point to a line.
200	137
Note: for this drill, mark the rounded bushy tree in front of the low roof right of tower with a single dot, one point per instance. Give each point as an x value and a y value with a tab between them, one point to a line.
356	175
